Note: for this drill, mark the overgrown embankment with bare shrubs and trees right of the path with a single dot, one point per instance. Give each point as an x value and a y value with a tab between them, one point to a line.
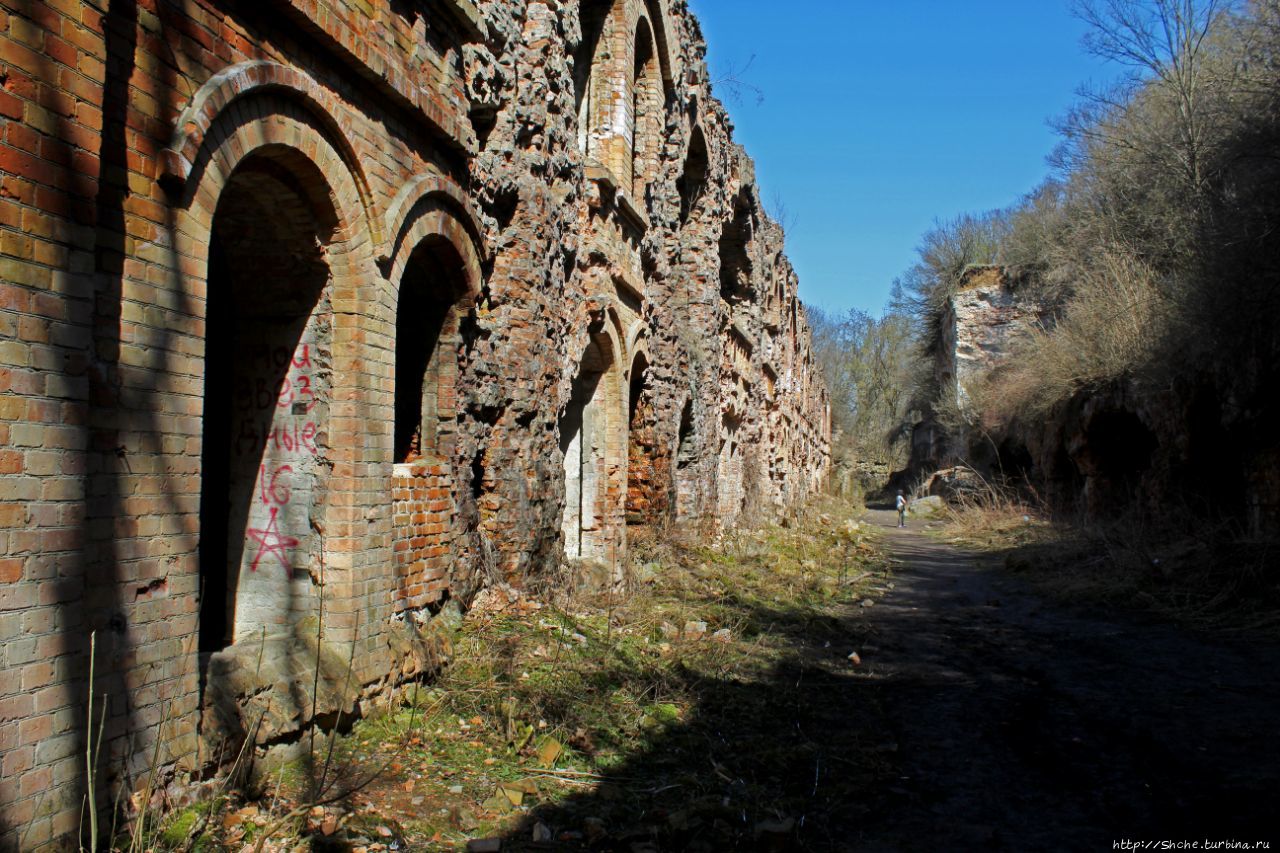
1109	340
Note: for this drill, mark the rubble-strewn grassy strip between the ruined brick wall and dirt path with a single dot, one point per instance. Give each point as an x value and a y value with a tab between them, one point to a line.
715	704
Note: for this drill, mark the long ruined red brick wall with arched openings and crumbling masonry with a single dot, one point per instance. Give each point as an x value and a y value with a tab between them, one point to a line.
318	317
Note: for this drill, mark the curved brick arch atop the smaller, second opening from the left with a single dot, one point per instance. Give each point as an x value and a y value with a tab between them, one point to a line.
427	207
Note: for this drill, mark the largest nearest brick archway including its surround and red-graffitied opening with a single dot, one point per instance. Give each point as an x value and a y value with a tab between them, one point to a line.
273	229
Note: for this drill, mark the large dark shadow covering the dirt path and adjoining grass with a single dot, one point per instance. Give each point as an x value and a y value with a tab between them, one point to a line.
981	717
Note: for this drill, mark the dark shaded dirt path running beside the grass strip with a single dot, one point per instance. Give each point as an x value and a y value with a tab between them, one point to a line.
1025	724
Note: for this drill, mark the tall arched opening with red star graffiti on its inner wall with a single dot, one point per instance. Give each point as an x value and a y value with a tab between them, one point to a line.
268	376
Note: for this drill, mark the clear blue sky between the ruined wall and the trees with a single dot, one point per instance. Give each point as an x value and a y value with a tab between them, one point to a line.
881	117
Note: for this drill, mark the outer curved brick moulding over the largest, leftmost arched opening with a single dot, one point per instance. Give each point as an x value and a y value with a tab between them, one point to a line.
254	79
